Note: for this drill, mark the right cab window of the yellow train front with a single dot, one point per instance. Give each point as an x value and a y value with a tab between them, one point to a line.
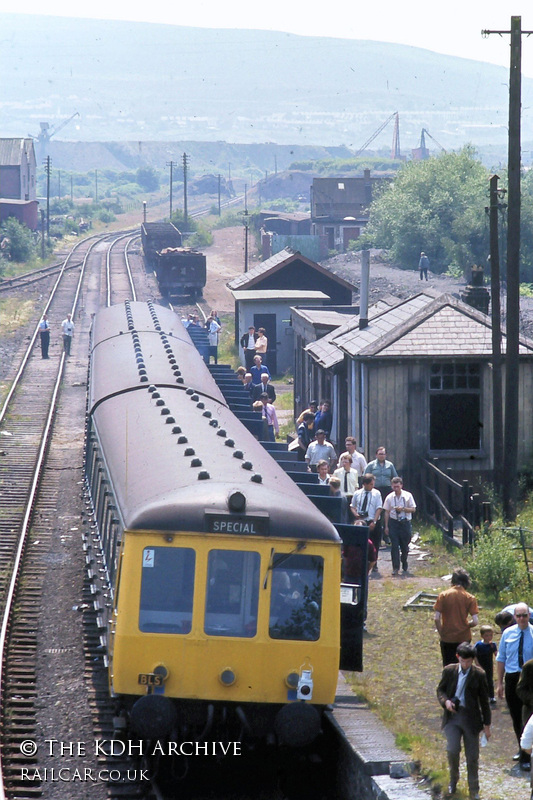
296	597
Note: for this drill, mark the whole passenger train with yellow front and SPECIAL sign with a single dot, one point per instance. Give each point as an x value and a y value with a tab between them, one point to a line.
224	578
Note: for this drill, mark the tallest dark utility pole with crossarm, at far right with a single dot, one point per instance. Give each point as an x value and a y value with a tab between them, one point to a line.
510	452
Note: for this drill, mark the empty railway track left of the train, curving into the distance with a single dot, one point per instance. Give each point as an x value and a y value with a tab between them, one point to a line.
29	514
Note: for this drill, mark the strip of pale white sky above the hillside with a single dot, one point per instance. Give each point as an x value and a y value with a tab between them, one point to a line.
452	27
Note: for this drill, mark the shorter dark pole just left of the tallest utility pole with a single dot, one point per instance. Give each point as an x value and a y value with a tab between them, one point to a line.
497	397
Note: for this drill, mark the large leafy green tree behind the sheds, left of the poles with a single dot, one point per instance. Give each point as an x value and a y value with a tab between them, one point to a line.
437	206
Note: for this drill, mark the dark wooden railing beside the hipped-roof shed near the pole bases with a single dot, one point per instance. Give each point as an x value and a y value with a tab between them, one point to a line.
452	506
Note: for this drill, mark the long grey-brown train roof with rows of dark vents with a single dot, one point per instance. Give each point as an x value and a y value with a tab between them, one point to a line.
174	451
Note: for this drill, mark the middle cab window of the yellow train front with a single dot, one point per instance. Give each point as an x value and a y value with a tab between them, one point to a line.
232	593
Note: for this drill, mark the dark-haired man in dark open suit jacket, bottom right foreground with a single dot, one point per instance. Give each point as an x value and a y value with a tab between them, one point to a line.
463	693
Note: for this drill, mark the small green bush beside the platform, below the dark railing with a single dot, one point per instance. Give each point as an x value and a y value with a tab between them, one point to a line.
496	566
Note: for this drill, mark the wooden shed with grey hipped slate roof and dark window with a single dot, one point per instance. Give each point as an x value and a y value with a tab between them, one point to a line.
418	379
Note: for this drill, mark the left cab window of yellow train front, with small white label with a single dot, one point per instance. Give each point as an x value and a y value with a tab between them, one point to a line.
167	588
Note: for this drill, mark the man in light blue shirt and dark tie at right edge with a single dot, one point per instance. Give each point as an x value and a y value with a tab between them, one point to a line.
516	647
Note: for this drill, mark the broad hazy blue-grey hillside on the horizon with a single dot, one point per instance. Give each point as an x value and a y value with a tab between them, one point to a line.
137	82
